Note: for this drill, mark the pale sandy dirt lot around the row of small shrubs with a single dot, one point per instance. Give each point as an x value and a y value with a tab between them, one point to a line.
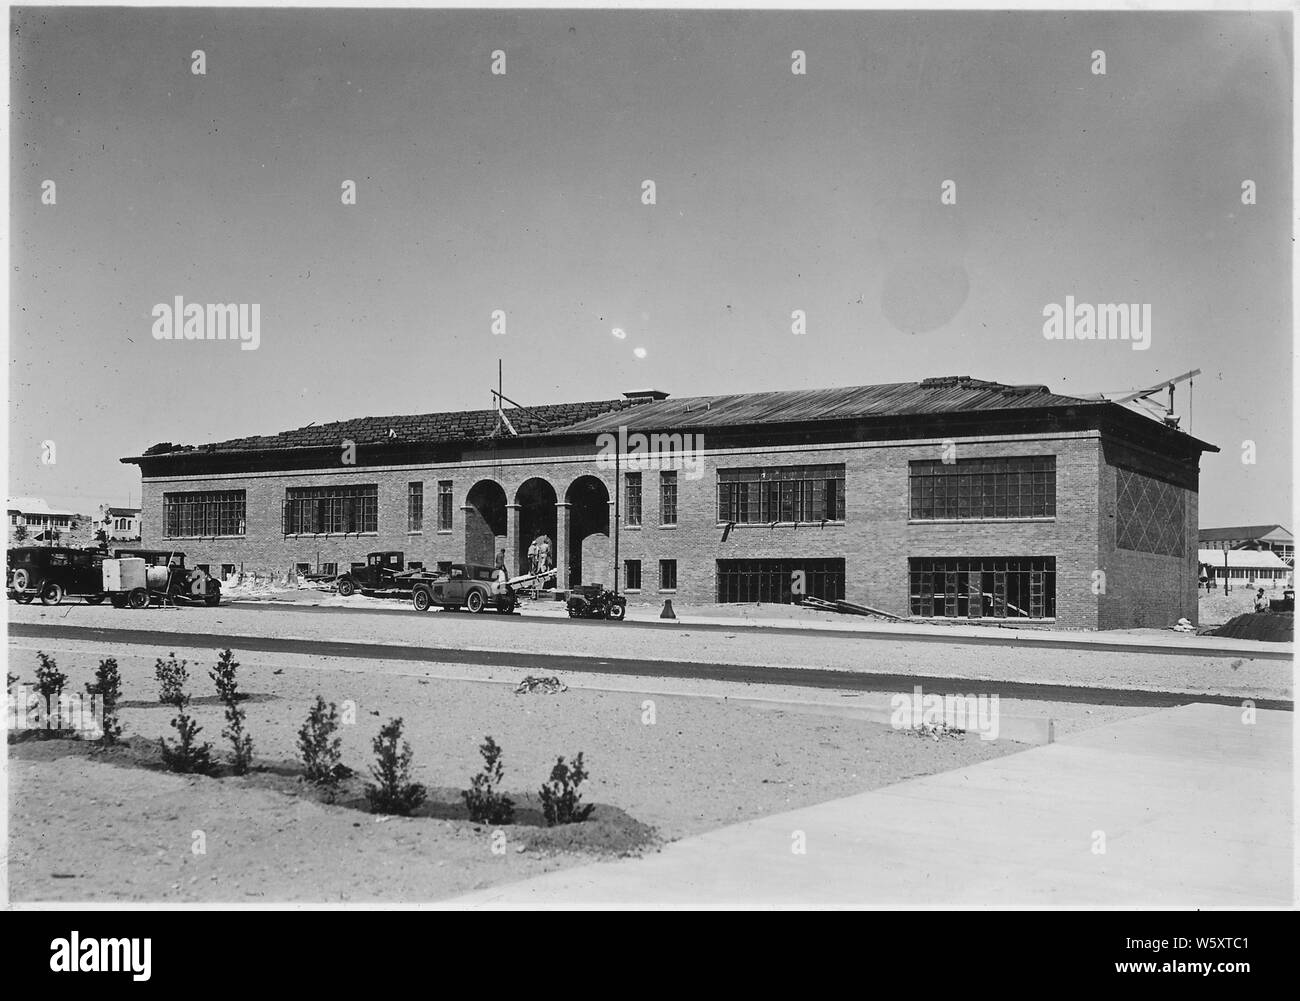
83	830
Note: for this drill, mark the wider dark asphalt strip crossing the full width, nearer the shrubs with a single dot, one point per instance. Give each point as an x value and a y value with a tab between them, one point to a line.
557	664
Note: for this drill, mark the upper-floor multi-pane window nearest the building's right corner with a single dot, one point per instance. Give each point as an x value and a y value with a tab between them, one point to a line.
1012	487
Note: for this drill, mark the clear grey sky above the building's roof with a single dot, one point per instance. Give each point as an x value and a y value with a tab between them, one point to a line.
525	193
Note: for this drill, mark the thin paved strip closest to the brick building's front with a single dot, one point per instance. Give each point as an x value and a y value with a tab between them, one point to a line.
1021	639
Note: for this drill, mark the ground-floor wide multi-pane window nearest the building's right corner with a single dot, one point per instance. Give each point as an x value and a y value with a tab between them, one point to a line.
983	587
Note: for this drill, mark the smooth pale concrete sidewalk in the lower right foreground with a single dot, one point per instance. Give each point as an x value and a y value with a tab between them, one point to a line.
1195	808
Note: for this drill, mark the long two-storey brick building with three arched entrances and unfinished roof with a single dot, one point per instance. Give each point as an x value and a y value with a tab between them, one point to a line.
944	499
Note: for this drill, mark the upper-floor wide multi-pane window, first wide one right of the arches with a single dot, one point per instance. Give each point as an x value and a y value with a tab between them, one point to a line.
759	496
